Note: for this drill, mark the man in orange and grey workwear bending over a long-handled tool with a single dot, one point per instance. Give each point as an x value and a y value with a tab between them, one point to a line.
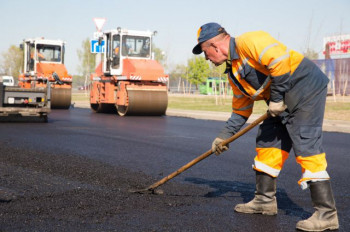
261	68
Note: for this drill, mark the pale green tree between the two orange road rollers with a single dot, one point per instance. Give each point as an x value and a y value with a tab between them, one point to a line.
87	59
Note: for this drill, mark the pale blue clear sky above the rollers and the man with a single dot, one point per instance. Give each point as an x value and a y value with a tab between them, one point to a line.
296	23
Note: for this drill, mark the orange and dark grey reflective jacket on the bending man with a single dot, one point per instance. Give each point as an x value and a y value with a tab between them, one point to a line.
260	70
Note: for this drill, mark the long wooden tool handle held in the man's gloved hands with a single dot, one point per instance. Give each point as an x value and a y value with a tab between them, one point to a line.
208	153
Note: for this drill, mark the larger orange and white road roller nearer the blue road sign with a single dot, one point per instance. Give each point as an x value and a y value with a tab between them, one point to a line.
127	79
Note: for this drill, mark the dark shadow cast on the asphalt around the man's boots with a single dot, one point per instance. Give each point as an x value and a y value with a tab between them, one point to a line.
246	191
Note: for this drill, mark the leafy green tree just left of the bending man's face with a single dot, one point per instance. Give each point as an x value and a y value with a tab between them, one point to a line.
198	70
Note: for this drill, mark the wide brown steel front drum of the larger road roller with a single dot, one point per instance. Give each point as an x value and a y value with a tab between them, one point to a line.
145	102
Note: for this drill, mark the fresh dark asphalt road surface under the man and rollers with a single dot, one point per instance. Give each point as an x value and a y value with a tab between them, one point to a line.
74	173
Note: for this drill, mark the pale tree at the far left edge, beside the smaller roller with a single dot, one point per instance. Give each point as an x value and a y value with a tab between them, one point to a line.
12	61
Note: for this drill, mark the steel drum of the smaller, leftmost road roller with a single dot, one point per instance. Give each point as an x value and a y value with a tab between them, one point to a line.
61	98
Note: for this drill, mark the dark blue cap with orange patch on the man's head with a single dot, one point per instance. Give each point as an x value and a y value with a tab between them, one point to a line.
206	32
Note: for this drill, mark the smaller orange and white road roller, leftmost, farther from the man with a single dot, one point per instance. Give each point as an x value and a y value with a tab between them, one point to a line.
43	65
